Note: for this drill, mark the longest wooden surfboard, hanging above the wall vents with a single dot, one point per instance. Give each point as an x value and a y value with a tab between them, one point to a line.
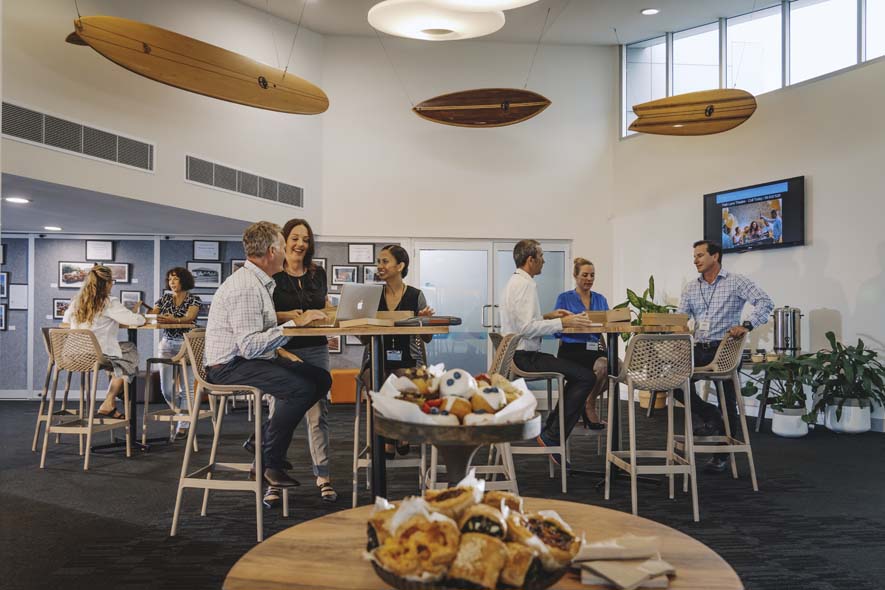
195	66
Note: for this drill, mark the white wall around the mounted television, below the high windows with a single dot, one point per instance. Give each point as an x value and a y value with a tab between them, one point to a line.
830	131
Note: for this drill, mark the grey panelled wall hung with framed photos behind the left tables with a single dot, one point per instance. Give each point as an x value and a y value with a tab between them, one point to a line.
61	264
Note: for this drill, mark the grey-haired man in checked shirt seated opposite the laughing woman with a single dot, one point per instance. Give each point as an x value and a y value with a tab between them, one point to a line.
242	337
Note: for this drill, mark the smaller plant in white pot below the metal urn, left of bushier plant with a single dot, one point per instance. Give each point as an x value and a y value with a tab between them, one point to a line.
787	379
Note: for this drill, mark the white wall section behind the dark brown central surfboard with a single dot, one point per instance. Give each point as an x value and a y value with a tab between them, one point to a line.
388	172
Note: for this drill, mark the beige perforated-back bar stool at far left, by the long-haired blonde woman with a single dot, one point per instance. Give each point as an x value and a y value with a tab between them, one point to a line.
77	351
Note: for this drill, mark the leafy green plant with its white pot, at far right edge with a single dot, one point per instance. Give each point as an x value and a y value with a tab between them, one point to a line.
846	379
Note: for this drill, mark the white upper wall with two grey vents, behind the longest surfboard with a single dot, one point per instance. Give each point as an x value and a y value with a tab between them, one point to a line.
41	71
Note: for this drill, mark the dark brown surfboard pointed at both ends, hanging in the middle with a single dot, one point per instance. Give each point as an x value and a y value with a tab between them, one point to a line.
482	107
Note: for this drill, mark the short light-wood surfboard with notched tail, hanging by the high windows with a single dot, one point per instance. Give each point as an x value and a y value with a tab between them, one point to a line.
695	113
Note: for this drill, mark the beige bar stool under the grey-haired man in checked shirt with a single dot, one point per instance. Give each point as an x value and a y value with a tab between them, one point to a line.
202	478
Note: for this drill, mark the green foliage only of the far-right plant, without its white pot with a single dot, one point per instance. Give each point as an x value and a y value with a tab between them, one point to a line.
843	373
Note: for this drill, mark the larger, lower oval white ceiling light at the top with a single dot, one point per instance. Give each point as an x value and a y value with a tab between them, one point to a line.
429	21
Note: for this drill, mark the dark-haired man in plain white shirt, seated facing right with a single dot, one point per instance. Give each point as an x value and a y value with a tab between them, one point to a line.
521	314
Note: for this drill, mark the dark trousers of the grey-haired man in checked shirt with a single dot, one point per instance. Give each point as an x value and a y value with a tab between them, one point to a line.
295	386
